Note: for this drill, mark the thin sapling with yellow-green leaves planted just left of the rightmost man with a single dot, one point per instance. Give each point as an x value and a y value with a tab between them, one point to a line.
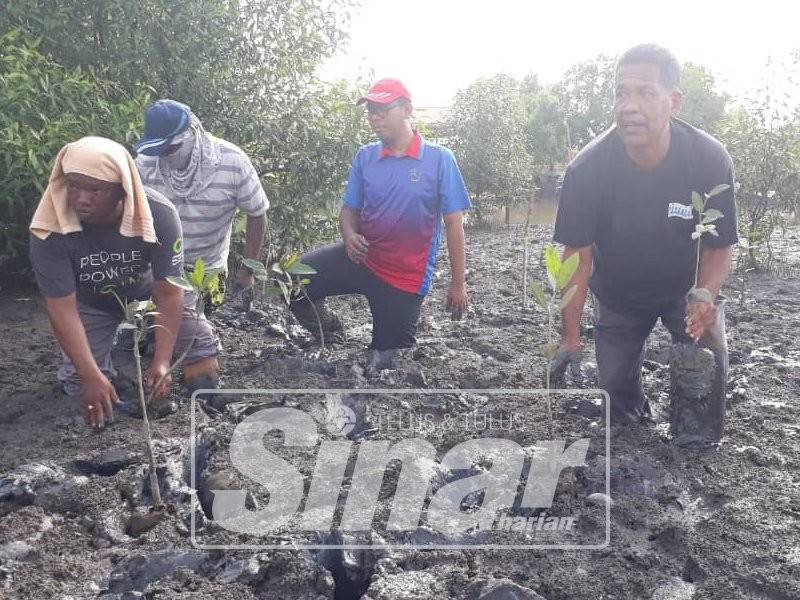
559	274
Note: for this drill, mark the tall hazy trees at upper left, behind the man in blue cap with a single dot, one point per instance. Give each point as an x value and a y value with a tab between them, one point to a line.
247	69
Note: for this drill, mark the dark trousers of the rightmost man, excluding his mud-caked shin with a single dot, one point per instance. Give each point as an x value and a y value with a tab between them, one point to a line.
620	346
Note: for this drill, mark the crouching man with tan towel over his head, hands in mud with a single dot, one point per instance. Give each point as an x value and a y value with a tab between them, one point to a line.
98	230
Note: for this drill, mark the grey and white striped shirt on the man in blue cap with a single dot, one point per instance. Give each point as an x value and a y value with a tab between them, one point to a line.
207	216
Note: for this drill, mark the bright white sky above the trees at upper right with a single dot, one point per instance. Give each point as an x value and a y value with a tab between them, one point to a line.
440	46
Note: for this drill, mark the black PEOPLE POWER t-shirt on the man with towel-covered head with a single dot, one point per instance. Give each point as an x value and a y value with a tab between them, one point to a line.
97	259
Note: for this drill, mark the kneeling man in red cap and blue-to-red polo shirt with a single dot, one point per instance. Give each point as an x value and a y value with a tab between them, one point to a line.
401	190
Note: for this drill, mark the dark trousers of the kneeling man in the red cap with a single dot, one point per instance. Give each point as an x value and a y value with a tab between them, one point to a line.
394	312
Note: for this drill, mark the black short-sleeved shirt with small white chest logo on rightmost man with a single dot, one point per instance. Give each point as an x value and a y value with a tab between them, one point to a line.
639	223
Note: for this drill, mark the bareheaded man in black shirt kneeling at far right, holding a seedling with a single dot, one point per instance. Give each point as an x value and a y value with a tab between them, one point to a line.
626	209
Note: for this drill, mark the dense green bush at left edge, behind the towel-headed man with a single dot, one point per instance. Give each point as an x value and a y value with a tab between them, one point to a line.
44	106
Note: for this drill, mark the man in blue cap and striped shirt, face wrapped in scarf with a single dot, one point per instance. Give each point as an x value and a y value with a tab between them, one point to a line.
207	179
